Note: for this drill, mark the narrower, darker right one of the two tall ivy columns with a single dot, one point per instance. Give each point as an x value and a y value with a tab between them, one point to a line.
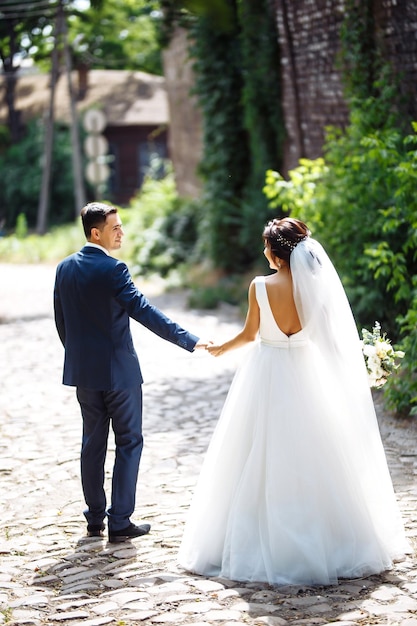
263	117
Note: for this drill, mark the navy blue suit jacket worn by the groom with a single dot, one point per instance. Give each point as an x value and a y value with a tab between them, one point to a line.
94	297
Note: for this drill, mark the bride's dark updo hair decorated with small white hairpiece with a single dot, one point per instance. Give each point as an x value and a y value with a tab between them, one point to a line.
282	236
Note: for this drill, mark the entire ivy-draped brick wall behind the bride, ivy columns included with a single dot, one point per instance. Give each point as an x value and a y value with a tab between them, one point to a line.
270	77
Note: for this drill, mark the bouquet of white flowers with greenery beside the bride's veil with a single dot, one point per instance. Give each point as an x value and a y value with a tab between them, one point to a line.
380	356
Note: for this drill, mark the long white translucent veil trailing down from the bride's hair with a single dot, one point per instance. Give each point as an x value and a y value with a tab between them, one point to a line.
326	317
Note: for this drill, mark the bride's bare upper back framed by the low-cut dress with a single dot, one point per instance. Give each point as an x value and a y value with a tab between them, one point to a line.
280	296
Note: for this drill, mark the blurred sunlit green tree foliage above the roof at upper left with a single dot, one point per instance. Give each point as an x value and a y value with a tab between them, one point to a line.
110	34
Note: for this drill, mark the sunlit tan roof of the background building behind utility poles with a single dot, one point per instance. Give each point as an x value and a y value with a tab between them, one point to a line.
125	97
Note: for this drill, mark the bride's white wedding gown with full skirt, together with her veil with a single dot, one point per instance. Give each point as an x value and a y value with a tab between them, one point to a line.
295	487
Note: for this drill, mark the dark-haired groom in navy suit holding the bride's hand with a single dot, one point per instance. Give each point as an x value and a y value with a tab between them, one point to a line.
94	297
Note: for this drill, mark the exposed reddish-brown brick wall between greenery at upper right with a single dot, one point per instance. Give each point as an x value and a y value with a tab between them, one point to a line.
310	45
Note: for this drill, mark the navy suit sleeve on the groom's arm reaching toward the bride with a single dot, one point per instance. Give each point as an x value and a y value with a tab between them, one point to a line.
140	309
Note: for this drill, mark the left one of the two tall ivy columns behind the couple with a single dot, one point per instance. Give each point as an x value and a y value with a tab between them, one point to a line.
225	163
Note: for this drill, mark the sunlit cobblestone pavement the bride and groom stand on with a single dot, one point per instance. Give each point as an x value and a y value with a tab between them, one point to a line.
50	573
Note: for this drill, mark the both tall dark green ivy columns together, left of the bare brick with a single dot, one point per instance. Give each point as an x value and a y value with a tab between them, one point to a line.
236	62
